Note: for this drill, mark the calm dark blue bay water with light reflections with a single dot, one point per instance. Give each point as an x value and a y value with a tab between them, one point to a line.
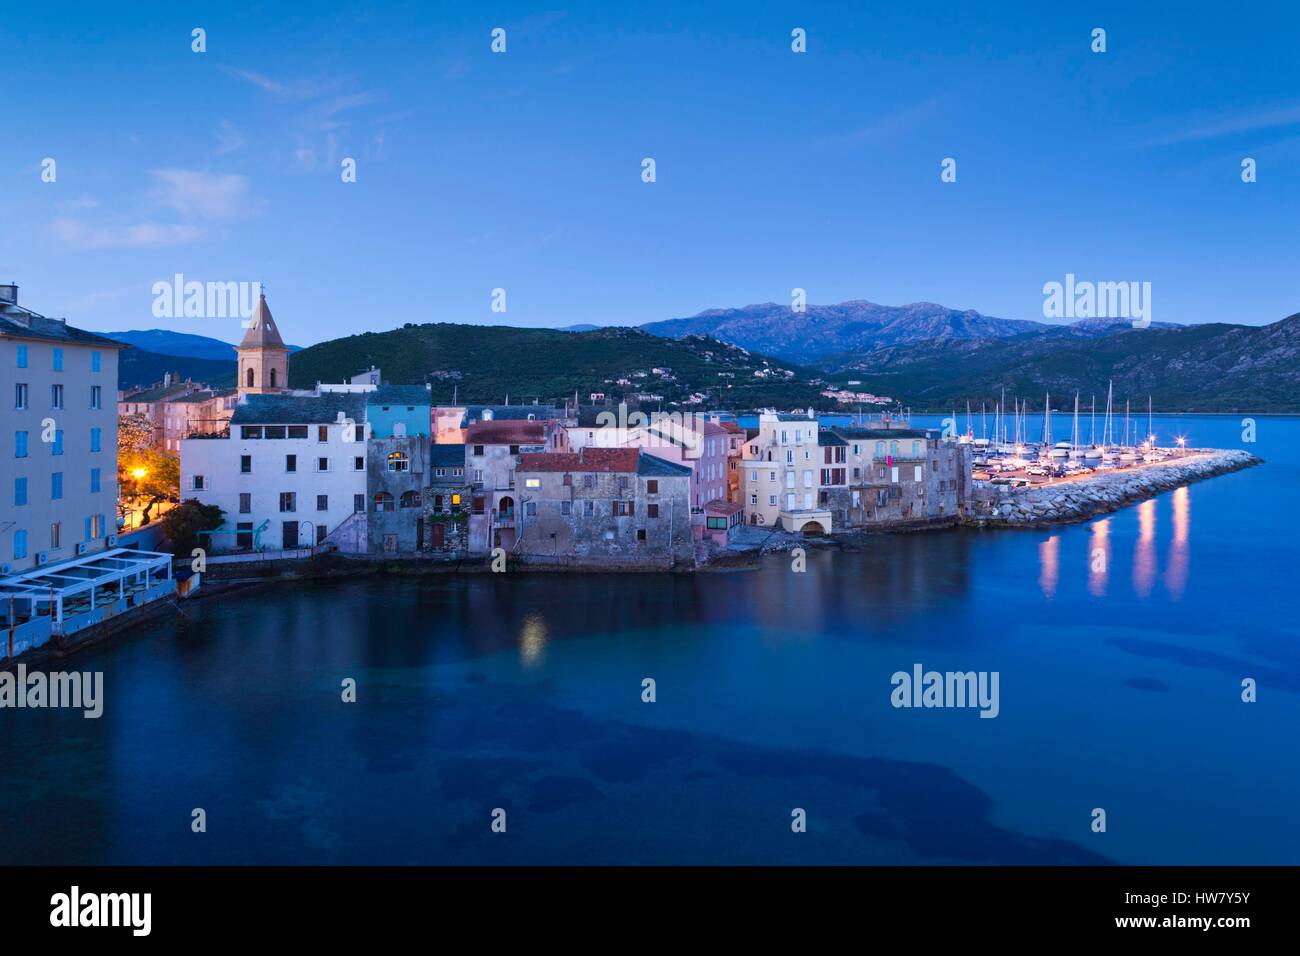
1120	689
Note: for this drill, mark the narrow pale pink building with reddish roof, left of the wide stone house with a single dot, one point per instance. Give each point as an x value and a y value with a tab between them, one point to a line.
493	451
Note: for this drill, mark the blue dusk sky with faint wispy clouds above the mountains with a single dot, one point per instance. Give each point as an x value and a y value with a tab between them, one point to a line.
523	171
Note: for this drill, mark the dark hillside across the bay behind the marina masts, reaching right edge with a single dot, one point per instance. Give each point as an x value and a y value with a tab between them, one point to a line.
1214	367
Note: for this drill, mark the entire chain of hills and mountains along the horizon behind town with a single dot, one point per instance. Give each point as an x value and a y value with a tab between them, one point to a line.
924	354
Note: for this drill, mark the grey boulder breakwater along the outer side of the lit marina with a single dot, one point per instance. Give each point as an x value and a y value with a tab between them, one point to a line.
1103	494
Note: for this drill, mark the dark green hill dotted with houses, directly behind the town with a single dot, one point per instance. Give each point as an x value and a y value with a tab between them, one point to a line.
487	364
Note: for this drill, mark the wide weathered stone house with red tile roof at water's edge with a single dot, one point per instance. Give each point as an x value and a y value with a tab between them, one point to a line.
605	507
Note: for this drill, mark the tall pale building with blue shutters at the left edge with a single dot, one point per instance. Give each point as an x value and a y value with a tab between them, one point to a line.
59	460
